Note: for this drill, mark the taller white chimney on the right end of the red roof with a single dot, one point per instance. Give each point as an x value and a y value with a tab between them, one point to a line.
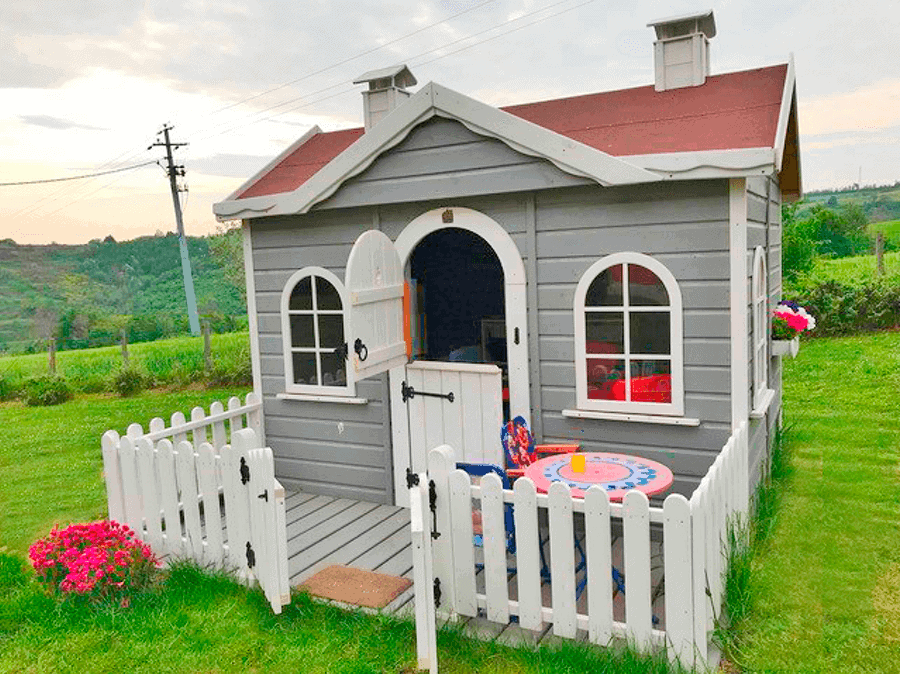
681	50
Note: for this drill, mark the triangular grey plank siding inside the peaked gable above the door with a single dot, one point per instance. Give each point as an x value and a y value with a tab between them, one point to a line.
442	159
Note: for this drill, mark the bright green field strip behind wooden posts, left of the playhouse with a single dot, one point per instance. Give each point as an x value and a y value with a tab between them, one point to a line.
177	361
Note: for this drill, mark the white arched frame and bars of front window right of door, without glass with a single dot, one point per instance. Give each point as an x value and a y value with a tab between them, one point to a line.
676	344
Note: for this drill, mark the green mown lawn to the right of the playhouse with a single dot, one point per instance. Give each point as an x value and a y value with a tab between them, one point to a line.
826	587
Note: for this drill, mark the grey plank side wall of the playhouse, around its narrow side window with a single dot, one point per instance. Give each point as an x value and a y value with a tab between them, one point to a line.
764	229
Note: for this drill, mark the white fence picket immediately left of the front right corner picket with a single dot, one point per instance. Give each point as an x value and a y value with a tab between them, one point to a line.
636	524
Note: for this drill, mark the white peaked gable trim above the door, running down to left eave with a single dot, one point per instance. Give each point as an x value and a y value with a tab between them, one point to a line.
568	155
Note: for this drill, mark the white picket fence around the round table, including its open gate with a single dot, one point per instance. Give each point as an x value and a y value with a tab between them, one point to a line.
693	533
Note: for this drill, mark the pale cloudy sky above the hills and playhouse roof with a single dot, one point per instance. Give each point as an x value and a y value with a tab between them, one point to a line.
86	84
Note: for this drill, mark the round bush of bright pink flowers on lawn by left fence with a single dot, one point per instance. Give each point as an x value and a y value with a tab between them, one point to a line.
95	561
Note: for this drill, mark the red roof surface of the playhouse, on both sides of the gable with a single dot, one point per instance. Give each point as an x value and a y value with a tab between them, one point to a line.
732	111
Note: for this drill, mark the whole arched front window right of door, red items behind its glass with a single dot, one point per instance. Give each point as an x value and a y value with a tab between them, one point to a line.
628	337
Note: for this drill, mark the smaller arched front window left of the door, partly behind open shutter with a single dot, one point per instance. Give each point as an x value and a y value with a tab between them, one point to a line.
314	328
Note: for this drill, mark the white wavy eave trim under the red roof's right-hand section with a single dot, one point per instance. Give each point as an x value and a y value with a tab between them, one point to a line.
708	163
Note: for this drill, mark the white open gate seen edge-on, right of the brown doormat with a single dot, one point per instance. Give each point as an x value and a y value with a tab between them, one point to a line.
426	627
